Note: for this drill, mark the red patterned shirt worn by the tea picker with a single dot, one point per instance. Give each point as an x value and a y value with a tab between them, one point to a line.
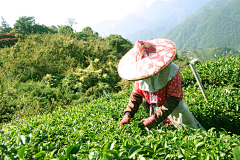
173	88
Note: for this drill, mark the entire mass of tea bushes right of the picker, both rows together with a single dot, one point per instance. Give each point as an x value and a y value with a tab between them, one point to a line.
220	79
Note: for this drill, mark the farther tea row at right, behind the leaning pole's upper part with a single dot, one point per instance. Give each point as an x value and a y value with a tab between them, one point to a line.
222	71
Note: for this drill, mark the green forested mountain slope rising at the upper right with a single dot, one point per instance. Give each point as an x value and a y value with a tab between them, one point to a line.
216	24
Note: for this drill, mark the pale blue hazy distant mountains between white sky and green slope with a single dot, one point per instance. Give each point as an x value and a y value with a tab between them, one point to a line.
151	22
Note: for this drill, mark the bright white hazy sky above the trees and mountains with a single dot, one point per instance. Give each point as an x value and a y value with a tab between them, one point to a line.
56	12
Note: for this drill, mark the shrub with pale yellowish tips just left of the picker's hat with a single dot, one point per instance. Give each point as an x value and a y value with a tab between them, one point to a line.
96	78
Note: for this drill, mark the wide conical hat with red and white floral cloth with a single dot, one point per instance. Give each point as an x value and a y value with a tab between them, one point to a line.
146	58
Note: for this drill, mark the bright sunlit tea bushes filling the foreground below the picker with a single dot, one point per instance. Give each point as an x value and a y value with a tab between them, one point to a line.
91	131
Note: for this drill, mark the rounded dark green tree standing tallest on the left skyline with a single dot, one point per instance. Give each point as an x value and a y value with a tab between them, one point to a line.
25	24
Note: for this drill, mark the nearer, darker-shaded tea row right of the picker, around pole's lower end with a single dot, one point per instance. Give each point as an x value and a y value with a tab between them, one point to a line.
222	109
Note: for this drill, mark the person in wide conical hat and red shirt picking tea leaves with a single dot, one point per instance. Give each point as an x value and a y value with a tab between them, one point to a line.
157	84
